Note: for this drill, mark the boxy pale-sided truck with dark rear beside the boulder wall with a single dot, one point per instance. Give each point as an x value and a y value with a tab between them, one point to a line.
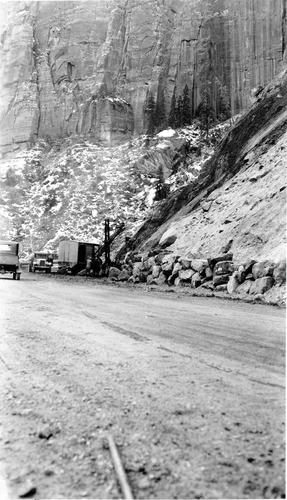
73	255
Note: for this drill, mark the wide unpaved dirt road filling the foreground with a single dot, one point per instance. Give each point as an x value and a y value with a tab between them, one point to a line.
191	389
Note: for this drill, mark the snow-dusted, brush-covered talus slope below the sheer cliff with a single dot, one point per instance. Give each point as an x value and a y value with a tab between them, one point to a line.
67	191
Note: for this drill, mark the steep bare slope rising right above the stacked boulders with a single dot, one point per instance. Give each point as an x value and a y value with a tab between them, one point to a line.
244	183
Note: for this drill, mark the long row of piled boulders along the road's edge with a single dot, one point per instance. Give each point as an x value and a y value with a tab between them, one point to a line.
264	280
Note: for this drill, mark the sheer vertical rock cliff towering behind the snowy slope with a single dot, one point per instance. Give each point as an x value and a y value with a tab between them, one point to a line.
87	67
